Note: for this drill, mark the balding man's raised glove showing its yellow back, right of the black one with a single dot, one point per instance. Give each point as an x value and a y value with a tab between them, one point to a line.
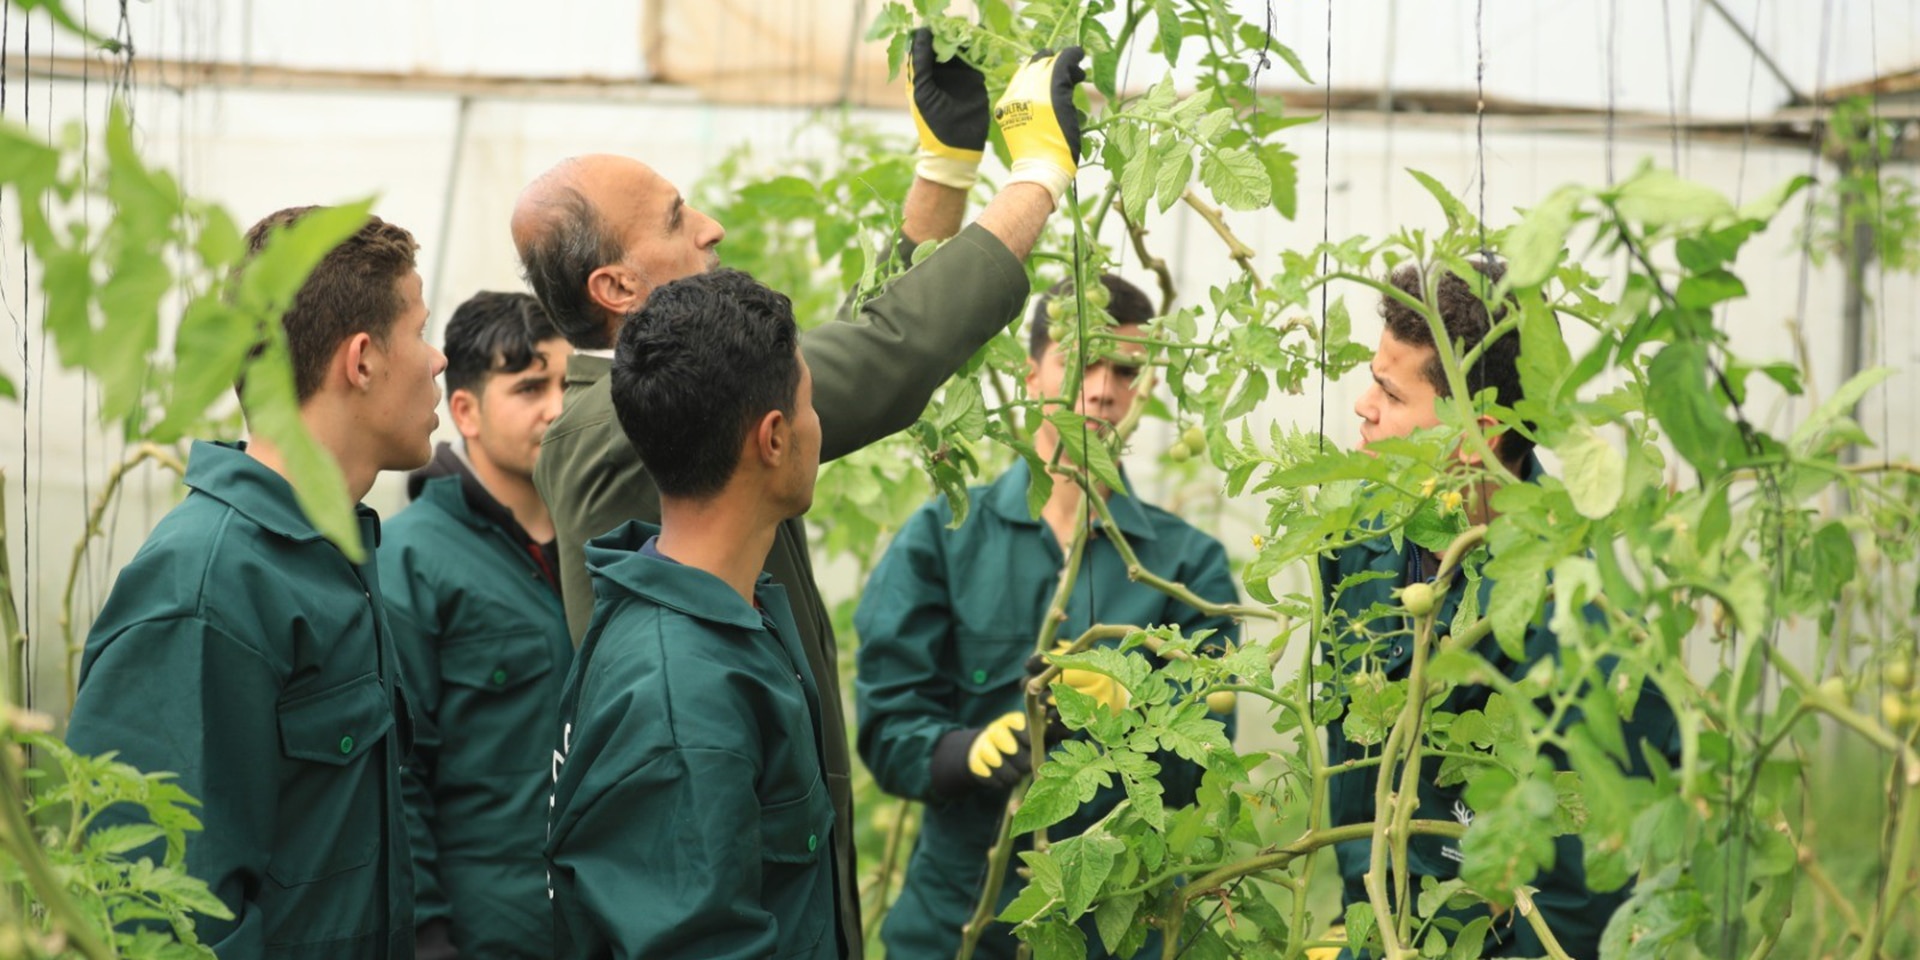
1038	120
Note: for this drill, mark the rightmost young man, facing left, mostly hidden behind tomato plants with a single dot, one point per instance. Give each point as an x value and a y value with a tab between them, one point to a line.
1408	385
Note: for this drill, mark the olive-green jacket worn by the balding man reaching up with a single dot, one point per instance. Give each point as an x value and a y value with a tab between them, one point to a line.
873	377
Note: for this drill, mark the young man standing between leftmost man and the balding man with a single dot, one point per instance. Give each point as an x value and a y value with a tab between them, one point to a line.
477	613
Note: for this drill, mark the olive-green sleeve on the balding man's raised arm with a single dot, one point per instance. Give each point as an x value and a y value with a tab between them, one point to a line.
875	375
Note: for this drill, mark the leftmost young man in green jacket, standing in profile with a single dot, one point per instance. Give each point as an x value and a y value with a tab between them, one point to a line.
249	656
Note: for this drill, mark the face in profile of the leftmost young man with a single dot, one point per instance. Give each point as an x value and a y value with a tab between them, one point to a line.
404	391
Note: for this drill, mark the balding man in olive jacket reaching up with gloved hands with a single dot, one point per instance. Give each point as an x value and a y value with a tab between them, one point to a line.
600	233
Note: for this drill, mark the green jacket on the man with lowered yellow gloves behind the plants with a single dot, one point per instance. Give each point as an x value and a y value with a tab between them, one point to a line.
948	625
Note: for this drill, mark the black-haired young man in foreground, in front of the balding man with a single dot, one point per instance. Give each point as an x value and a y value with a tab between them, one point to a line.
690	804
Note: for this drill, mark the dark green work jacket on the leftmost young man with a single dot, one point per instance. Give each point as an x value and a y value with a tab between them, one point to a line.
249	656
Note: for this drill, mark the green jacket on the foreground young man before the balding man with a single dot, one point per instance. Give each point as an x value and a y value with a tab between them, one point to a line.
690	805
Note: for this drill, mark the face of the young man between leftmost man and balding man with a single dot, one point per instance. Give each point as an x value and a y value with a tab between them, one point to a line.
508	420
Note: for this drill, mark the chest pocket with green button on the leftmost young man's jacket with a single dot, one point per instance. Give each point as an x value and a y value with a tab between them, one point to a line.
333	798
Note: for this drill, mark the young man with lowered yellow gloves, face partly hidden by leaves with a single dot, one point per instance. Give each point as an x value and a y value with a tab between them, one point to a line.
948	629
